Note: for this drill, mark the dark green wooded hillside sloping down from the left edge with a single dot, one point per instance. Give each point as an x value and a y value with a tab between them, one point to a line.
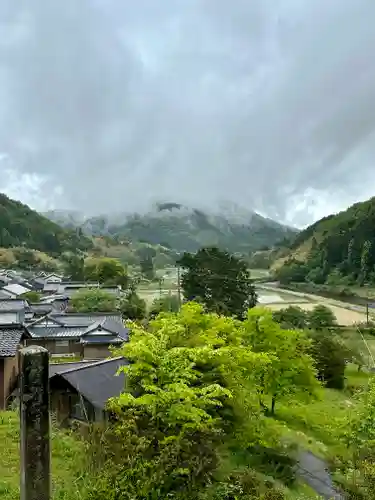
22	227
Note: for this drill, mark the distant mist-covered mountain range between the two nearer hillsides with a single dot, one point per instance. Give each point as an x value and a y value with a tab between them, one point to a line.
183	228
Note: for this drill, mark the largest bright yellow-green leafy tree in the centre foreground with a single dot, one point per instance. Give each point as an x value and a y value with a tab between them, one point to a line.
189	392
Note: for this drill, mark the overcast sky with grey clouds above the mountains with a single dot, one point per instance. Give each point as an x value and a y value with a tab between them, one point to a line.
111	105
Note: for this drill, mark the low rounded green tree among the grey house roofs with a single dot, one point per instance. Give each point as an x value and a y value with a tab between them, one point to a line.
93	300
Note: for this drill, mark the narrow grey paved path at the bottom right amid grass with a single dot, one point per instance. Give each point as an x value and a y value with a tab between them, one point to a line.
314	471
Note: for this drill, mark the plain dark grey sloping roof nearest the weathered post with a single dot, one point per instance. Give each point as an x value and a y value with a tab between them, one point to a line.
97	382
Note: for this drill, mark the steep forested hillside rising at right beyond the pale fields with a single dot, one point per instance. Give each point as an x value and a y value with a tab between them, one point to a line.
337	249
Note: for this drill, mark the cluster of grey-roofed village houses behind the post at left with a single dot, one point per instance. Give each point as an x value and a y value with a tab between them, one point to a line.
81	387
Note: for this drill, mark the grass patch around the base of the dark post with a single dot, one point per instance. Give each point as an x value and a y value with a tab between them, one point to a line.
69	482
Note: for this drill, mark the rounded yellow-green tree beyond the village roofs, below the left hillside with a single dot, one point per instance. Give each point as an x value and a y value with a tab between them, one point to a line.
106	271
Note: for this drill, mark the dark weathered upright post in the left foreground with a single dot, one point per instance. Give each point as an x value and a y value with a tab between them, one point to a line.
35	423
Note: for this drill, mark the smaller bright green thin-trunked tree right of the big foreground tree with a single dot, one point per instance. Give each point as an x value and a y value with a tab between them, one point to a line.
291	369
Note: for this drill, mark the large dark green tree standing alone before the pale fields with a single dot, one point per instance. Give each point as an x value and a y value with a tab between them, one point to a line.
218	280
